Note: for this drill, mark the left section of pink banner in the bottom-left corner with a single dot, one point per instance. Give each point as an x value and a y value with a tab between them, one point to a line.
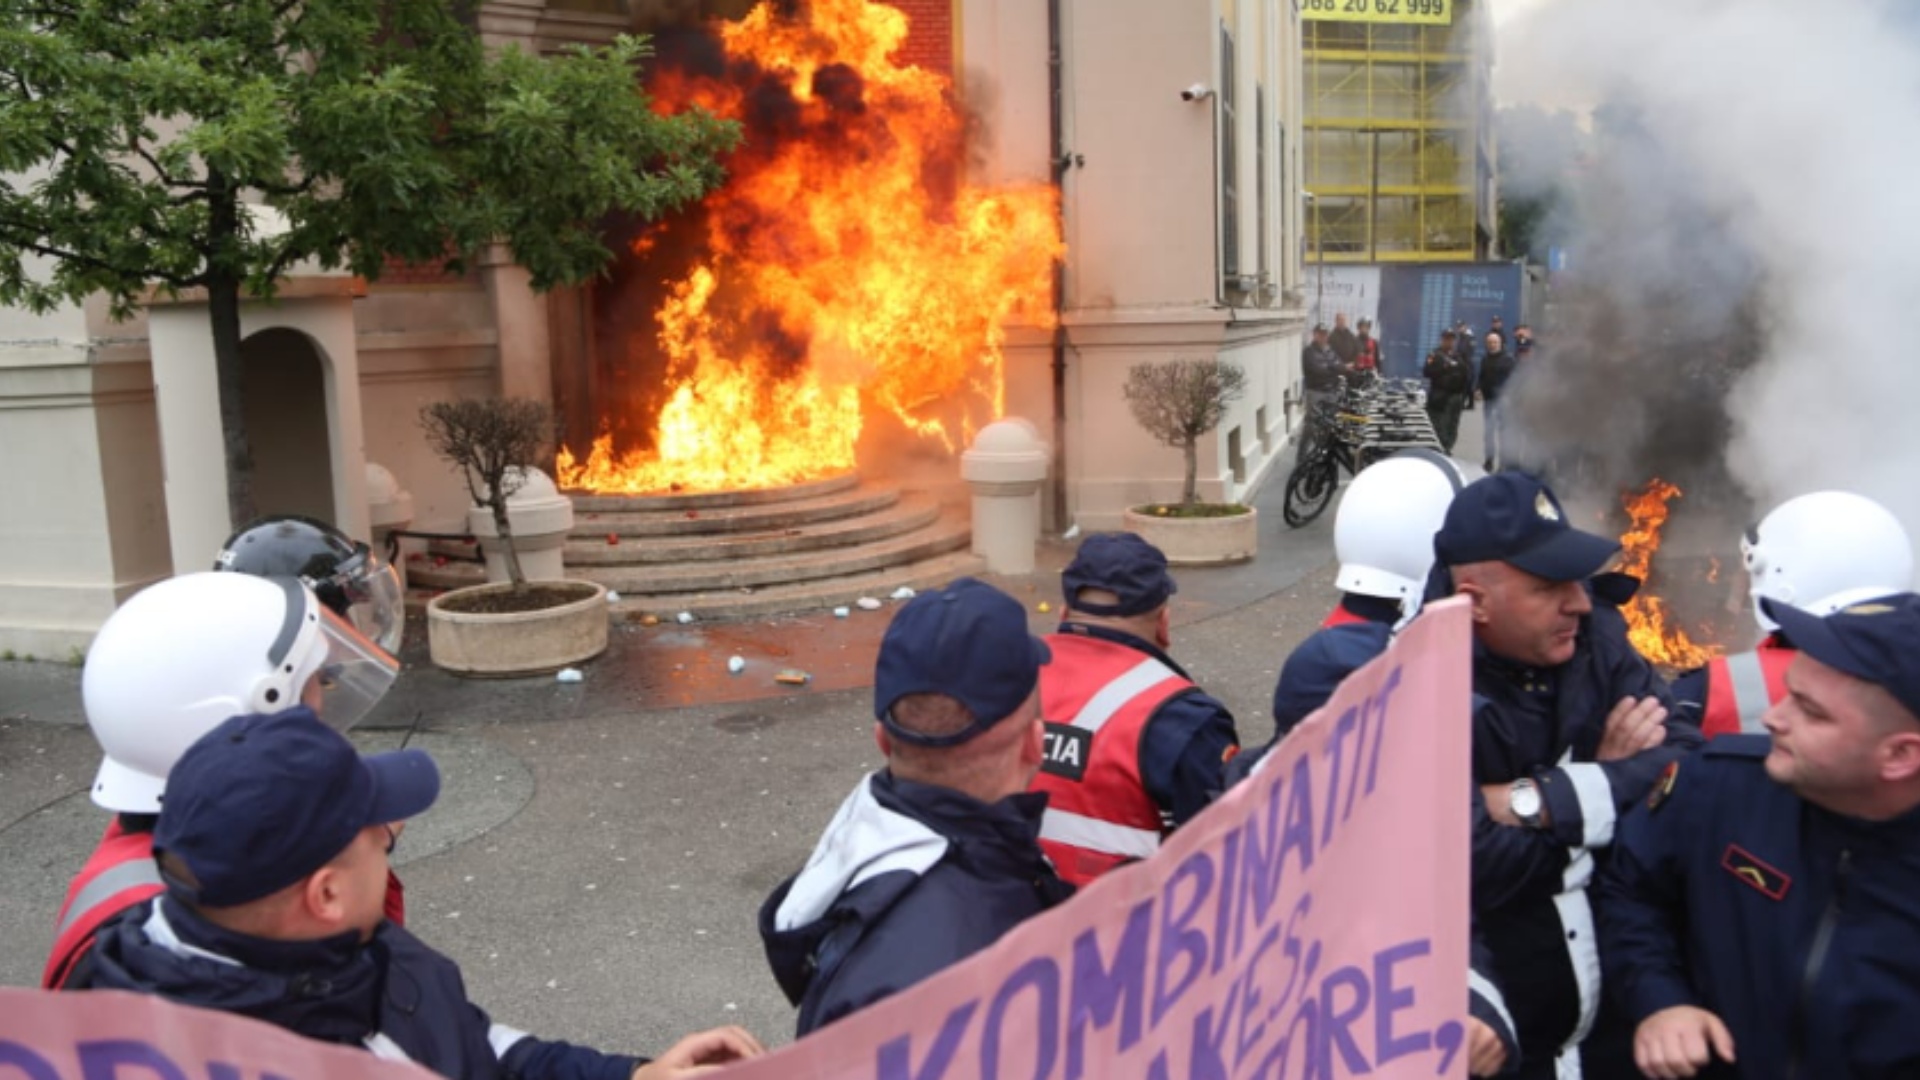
108	1035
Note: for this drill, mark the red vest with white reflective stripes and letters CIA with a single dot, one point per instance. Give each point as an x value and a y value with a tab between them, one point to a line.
1099	697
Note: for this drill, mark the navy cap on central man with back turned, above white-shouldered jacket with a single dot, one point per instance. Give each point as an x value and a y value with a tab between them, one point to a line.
969	643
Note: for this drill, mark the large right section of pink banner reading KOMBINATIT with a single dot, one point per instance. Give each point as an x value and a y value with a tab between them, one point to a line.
1312	923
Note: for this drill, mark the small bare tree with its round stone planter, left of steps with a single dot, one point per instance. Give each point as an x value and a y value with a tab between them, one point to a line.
514	627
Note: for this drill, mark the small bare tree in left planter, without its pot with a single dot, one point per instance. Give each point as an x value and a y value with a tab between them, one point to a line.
492	441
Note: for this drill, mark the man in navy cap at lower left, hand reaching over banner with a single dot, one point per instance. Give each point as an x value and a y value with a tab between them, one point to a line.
274	847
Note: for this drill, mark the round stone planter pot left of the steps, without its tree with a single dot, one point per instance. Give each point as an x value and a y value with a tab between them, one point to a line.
517	643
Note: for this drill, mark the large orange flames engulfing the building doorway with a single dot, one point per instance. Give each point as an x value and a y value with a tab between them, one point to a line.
844	272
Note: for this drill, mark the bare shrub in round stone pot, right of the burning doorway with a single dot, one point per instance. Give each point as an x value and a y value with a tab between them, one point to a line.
1178	403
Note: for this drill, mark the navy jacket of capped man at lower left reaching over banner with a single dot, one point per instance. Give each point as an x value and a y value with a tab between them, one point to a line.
393	994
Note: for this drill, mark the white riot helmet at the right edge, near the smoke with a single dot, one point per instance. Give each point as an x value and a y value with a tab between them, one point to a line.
1815	552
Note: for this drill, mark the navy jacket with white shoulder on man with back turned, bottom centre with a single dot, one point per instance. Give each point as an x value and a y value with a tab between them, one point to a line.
907	881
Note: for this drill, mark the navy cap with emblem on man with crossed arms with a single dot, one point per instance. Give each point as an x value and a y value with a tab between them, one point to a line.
1512	518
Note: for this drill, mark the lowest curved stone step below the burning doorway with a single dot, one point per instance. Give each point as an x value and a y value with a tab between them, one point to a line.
936	539
